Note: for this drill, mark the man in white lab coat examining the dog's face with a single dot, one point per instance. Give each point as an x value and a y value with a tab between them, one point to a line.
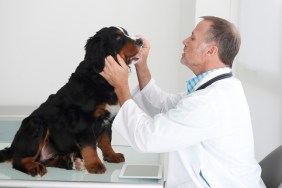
206	130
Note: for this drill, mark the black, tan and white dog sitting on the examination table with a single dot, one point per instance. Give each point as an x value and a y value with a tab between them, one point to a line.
72	123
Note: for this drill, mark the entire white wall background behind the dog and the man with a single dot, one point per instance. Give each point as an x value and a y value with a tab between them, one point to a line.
42	42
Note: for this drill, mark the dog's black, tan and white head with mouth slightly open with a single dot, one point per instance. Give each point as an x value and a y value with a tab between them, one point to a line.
111	41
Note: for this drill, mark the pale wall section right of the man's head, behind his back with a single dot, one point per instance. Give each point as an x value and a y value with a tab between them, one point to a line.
259	66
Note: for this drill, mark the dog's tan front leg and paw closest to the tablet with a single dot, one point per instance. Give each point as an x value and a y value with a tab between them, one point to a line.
104	143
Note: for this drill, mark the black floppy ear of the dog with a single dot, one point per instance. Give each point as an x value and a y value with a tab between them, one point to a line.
95	53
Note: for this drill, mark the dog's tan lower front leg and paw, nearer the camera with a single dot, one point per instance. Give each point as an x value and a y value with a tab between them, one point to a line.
91	160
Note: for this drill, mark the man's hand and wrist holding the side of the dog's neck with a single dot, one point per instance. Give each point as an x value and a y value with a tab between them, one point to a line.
117	75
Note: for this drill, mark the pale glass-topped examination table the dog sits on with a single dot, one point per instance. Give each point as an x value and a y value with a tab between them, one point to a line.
56	177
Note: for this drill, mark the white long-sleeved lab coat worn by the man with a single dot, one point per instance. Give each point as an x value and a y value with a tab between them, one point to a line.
208	133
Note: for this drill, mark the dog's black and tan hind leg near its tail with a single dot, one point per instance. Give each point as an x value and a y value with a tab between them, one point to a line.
28	151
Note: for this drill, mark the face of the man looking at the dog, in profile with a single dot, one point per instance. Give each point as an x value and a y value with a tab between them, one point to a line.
194	47
